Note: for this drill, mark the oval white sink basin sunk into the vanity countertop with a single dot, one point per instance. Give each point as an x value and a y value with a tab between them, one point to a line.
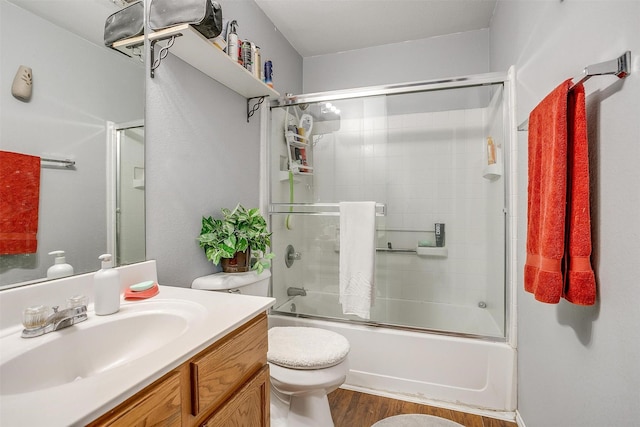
93	347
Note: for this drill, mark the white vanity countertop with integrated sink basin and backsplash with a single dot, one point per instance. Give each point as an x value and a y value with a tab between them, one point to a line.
75	375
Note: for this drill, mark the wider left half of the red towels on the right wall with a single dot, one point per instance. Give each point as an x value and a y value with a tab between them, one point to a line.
547	193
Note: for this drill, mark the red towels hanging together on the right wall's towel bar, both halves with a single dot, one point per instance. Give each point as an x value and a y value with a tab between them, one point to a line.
558	220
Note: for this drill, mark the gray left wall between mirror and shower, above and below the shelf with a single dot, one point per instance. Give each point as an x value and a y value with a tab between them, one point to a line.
202	154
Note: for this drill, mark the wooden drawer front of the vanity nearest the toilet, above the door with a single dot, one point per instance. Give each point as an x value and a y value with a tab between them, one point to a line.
218	373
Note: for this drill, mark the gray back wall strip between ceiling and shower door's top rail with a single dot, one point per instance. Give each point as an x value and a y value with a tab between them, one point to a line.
436	57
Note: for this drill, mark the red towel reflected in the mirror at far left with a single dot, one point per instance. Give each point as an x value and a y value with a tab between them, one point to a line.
19	200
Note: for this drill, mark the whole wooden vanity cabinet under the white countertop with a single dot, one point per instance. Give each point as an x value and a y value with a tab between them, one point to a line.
226	384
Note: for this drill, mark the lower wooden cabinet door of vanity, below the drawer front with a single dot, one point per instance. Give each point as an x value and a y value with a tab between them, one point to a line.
249	406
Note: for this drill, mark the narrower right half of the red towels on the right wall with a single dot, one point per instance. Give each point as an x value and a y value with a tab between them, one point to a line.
580	286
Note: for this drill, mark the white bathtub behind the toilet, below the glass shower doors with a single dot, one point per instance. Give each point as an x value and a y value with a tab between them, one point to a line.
419	366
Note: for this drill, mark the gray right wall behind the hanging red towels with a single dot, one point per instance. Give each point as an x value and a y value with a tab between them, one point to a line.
578	366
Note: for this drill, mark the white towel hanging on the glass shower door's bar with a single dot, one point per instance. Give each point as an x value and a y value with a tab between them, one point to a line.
357	257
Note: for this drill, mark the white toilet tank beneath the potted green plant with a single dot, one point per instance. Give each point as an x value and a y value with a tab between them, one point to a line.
249	283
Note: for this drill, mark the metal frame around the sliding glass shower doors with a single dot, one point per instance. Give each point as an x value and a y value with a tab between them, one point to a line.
507	80
